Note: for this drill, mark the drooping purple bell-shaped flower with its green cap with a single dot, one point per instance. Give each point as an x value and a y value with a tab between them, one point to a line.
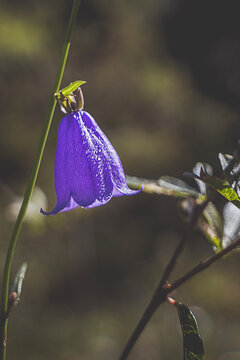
88	171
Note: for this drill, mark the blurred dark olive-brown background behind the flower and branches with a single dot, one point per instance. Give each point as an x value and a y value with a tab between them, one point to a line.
163	82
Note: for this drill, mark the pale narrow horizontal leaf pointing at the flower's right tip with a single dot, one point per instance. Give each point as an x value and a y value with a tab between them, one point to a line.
166	185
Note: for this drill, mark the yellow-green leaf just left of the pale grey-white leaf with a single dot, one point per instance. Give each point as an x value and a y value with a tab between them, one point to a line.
211	225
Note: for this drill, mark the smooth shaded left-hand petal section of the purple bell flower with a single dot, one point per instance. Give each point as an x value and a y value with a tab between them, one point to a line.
73	178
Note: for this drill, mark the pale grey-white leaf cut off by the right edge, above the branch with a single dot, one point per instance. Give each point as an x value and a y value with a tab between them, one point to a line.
231	221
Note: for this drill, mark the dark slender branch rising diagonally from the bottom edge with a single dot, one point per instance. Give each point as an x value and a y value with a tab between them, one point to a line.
160	294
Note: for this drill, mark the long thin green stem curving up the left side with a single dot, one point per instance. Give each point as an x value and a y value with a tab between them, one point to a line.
31	183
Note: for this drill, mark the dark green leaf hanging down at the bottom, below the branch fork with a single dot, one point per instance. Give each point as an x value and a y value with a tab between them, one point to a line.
192	343
